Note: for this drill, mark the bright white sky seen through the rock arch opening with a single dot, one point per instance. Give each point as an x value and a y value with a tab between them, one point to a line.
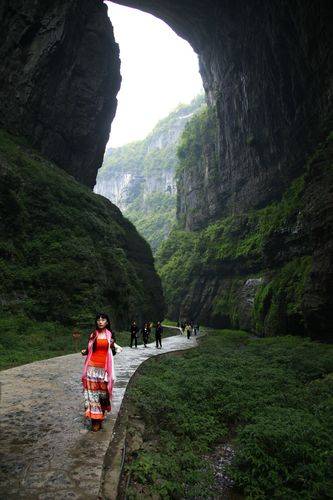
159	70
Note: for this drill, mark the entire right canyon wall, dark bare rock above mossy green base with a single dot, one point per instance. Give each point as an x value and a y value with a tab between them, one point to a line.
267	72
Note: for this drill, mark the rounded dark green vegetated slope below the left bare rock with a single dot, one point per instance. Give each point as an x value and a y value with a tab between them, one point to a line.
66	252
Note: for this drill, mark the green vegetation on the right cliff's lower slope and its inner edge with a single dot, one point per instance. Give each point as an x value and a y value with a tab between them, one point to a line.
252	270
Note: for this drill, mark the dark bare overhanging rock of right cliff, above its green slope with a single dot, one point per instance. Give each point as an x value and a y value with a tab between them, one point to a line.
266	67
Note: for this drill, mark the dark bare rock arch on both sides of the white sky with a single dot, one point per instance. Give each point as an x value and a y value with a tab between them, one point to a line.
265	65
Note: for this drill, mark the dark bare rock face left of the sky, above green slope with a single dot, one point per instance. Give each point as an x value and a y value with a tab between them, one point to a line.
59	79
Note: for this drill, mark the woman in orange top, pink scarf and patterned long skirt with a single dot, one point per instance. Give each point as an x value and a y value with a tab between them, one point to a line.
98	372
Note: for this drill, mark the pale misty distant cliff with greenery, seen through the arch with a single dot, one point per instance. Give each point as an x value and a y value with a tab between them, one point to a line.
149	199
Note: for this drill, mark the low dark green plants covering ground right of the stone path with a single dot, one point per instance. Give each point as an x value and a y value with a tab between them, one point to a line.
275	393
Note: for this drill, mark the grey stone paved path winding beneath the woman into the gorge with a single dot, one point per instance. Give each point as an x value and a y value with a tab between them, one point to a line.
47	450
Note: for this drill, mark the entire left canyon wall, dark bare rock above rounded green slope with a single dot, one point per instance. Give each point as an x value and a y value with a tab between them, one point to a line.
65	252
